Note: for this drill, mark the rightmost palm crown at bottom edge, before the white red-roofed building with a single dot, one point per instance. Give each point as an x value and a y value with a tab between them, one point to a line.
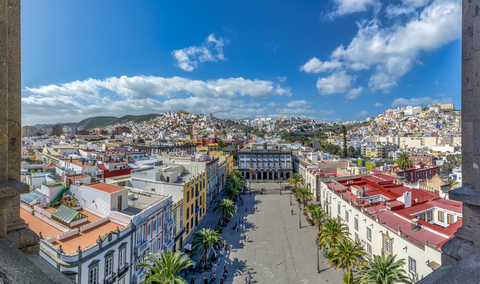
381	270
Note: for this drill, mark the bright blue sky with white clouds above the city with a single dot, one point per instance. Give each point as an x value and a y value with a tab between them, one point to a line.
334	60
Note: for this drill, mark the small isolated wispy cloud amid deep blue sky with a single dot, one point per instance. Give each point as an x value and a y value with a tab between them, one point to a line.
211	50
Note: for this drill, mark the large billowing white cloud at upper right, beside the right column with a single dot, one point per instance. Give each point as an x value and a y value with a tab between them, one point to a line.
392	51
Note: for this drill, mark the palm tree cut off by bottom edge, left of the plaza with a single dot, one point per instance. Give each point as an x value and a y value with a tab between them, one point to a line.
165	267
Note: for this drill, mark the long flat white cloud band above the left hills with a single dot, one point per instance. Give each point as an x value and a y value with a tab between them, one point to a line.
150	86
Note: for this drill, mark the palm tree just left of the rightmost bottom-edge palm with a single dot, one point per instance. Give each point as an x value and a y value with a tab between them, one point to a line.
347	253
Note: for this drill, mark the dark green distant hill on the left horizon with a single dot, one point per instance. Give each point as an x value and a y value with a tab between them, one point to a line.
102	121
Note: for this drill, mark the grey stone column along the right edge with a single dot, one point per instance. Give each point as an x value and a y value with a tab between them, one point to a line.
467	237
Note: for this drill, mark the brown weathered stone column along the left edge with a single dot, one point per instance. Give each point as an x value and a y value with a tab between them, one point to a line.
10	130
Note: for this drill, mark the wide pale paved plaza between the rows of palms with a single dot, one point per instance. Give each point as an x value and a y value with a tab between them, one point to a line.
278	251
